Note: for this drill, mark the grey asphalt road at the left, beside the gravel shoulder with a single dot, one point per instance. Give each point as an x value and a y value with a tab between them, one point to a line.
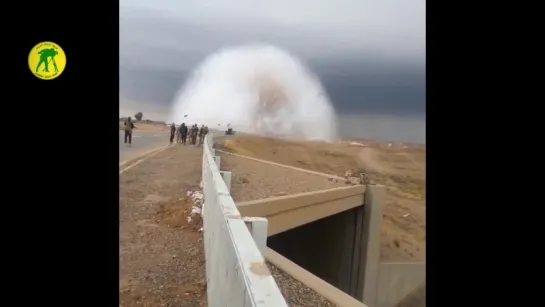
142	141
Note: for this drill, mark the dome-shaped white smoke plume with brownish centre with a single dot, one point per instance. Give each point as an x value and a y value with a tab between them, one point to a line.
258	89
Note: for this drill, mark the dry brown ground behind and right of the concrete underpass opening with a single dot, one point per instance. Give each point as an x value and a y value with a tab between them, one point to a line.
401	167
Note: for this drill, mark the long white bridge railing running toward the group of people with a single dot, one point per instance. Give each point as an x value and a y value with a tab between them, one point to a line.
236	272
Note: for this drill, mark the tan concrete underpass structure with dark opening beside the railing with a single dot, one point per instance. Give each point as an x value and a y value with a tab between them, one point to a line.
342	248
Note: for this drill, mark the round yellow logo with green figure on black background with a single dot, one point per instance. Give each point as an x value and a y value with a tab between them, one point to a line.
47	60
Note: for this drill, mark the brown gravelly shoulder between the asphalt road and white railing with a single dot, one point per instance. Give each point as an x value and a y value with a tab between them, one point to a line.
161	254
